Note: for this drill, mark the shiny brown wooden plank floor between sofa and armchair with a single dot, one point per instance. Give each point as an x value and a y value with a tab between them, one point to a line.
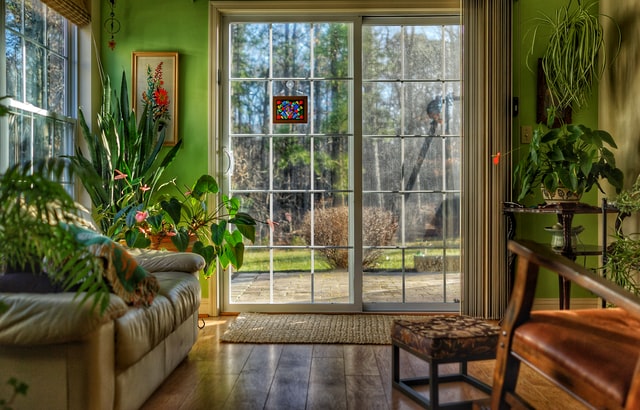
268	376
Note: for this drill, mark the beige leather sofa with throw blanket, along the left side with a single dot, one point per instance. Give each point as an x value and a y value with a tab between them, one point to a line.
74	358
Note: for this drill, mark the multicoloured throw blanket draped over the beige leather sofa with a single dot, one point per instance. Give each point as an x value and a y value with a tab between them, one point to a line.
127	279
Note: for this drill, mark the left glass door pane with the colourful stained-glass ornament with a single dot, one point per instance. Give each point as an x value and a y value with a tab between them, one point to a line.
293	176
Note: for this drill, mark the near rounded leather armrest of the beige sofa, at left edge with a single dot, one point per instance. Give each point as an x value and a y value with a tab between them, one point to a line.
39	319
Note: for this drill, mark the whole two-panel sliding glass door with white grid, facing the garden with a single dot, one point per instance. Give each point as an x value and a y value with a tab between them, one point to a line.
362	199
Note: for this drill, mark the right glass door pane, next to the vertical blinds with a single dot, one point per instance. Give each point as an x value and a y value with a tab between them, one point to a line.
411	166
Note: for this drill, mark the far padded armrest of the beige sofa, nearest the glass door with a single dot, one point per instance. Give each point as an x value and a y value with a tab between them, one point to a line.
165	261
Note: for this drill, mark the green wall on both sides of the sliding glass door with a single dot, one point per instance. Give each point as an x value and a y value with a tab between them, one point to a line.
182	26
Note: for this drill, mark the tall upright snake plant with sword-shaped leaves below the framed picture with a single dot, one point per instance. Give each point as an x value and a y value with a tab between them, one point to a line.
124	160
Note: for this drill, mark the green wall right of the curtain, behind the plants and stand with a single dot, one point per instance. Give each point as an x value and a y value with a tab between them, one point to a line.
524	86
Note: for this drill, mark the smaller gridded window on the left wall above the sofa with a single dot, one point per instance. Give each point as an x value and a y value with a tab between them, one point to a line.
39	45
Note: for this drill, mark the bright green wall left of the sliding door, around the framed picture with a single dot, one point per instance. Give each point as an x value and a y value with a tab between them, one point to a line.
176	26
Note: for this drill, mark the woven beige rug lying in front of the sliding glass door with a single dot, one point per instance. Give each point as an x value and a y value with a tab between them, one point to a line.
311	328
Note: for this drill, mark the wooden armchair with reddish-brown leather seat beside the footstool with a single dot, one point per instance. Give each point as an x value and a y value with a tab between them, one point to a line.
593	354
